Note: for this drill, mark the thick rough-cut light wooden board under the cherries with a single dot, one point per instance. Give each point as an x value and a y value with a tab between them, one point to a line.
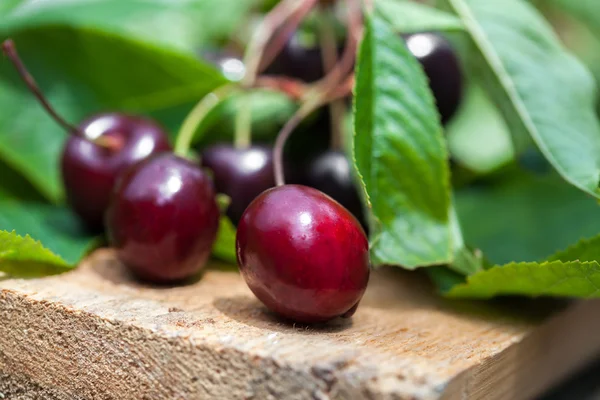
96	333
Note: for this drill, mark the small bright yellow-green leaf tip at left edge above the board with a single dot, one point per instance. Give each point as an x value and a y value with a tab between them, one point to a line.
23	257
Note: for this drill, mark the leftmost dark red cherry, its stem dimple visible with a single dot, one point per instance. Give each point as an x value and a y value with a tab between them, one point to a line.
89	170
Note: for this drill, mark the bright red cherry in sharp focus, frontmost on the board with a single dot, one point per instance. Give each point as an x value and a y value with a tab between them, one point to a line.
303	254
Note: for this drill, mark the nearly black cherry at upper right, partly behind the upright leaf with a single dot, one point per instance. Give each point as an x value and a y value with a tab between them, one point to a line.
442	67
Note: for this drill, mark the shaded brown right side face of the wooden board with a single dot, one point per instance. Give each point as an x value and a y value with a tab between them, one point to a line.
564	344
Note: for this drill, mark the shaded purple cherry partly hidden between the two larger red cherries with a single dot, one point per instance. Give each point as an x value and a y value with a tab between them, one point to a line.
241	174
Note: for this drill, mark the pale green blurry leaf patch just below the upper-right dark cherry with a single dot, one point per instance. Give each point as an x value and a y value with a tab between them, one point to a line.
478	137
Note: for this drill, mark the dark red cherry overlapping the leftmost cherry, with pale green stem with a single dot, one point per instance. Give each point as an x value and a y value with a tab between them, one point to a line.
163	218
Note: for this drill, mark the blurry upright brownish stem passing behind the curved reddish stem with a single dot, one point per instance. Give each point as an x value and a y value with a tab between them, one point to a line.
329	57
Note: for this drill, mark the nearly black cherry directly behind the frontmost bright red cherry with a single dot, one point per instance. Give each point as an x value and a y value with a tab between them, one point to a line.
331	173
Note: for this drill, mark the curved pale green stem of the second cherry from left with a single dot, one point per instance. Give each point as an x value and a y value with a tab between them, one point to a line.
197	115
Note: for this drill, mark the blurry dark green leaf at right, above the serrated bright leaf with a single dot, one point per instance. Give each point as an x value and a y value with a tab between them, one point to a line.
525	217
